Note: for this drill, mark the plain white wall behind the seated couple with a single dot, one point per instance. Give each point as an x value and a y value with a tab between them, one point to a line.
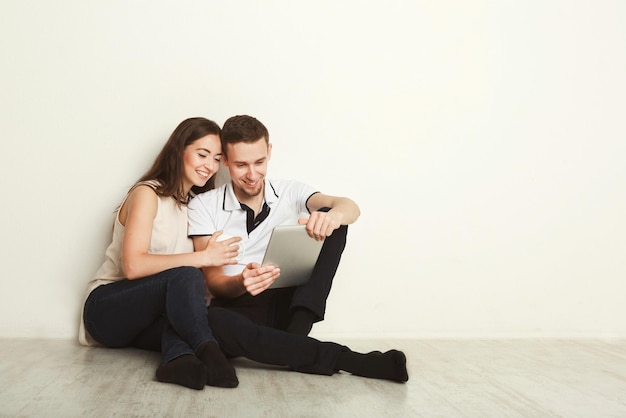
484	141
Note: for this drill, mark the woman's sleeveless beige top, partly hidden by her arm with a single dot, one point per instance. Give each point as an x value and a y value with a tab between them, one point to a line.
169	236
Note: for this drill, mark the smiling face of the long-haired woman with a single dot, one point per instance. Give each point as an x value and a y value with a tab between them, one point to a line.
201	159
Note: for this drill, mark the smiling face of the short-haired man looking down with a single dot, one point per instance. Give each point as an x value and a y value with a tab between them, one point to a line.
247	164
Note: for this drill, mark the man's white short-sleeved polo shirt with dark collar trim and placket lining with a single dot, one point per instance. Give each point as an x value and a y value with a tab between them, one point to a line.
219	209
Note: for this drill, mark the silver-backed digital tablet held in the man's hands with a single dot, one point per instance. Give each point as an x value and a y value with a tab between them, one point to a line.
294	252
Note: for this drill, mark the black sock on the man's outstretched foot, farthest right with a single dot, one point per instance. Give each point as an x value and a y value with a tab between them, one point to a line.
390	365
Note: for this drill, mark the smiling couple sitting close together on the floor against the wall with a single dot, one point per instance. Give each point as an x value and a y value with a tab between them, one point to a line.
166	260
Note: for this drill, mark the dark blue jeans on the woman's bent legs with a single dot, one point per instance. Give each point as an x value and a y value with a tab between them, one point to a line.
118	313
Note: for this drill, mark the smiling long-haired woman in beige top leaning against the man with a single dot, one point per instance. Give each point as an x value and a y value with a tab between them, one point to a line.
150	280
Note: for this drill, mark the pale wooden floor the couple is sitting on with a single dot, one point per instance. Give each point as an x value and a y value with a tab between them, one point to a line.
448	378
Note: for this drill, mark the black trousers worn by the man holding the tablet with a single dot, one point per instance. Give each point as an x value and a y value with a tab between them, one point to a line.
253	326
